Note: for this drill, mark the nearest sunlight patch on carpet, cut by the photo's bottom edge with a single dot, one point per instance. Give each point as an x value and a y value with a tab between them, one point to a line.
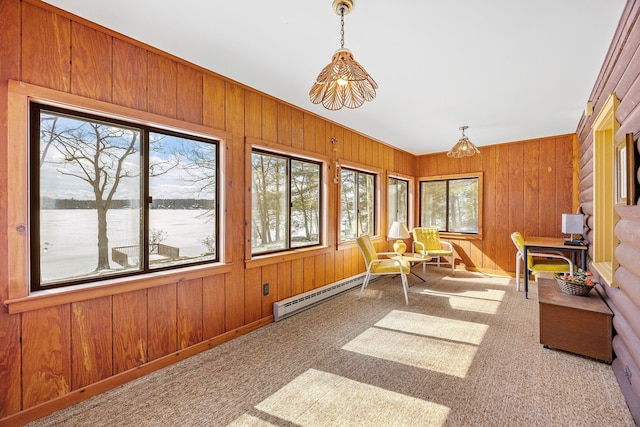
320	398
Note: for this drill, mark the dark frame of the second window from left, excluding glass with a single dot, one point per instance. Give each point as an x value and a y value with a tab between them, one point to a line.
321	199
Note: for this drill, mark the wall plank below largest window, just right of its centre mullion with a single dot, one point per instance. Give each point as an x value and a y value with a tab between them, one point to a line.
162	333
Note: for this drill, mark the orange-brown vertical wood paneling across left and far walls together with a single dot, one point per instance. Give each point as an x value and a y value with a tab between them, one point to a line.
56	354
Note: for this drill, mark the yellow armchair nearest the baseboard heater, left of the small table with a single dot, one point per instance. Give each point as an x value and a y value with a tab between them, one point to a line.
376	266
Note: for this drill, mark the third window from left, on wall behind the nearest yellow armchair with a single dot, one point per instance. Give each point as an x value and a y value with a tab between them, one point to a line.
357	204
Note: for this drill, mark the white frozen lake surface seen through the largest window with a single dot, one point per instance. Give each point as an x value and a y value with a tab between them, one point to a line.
69	241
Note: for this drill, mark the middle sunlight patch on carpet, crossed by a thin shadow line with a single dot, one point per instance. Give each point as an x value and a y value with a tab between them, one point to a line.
438	344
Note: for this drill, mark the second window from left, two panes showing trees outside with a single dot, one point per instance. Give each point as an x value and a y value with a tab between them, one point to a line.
285	212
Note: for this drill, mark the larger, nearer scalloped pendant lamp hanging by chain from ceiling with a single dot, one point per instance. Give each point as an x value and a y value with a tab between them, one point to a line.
343	83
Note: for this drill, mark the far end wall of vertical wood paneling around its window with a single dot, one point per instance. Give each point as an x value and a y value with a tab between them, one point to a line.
528	185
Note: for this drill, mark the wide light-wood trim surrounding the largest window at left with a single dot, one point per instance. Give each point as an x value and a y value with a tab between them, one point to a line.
20	298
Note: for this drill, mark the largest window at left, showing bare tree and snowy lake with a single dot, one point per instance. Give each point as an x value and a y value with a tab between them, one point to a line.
110	198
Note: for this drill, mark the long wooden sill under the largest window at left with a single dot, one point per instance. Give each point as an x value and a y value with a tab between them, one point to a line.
66	295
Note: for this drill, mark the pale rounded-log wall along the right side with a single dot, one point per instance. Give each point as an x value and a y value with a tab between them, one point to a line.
620	74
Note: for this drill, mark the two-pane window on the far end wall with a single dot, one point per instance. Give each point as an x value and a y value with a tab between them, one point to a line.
451	204
